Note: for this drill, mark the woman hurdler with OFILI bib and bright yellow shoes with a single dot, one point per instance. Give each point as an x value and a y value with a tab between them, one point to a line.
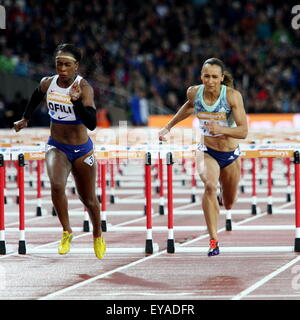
70	100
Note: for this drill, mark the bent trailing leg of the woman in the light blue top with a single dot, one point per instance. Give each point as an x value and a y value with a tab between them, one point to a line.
229	180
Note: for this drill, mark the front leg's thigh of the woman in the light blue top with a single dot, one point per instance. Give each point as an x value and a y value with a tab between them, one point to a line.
208	168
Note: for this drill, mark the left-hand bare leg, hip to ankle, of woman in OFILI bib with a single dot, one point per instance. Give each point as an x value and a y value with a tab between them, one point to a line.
59	168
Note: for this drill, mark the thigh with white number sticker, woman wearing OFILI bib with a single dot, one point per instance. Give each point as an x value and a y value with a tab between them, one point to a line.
84	172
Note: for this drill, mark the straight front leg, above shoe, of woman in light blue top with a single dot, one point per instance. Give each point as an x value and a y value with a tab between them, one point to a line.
209	172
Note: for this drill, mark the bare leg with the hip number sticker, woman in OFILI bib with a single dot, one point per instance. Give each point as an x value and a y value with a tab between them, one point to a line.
85	178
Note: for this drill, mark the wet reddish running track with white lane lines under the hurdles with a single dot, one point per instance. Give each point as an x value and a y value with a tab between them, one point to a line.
160	276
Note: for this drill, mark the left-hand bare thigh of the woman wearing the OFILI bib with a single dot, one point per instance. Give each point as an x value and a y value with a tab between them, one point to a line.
58	166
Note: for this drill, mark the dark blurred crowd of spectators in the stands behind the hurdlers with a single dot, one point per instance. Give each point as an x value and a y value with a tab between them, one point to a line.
152	51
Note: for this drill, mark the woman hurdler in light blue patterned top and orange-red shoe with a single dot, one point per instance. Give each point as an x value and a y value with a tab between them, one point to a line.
222	122
